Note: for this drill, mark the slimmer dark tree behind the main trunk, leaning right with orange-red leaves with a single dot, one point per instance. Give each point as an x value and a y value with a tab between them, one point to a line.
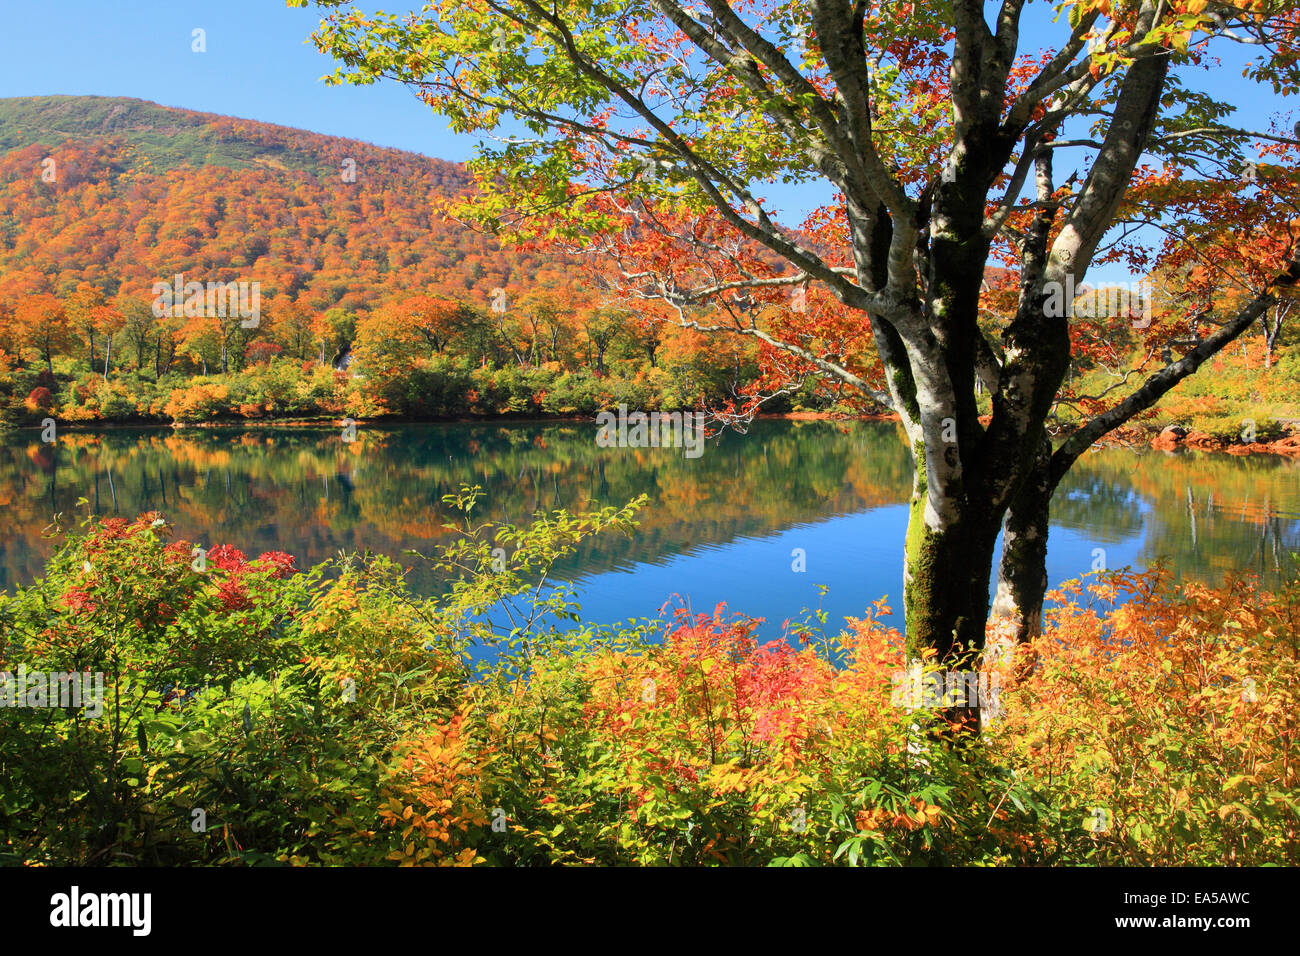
1227	263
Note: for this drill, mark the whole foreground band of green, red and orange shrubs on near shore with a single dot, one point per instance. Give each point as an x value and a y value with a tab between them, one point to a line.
255	715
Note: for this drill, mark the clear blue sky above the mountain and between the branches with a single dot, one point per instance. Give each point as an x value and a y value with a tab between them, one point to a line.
259	66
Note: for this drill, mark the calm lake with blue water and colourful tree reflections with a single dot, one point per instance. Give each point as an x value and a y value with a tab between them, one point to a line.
721	527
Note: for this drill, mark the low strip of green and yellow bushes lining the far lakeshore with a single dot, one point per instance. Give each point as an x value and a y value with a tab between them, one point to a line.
408	387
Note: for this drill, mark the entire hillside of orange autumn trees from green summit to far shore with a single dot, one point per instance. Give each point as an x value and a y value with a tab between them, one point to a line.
374	300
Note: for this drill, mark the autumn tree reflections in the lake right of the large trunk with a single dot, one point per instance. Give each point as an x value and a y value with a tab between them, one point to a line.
1208	514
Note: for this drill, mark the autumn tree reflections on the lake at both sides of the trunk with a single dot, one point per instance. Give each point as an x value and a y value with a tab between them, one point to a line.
309	492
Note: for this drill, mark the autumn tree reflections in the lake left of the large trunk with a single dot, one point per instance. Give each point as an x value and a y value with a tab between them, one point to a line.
309	492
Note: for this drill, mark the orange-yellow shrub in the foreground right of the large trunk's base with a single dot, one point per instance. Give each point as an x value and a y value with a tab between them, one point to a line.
1169	719
